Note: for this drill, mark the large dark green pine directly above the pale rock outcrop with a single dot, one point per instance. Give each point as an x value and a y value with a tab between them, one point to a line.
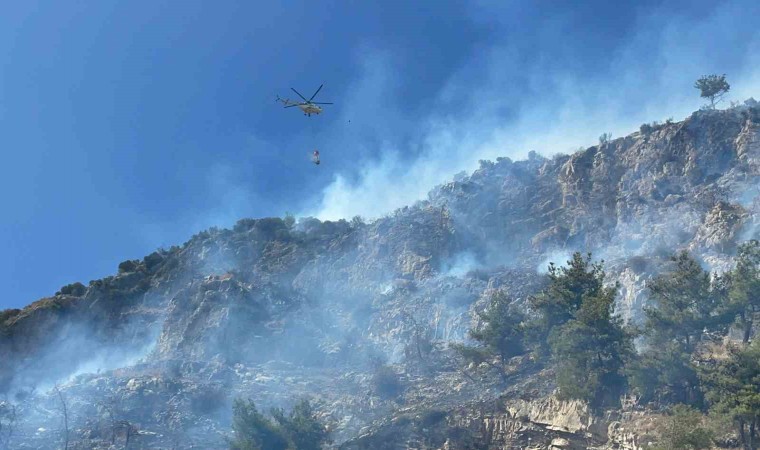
575	325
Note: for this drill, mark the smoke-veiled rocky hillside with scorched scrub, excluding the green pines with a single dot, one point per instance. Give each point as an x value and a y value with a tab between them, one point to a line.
273	309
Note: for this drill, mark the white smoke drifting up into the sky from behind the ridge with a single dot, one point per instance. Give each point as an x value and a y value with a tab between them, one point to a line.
650	78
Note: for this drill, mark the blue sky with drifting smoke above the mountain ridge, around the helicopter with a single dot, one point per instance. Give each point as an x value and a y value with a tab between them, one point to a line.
126	126
